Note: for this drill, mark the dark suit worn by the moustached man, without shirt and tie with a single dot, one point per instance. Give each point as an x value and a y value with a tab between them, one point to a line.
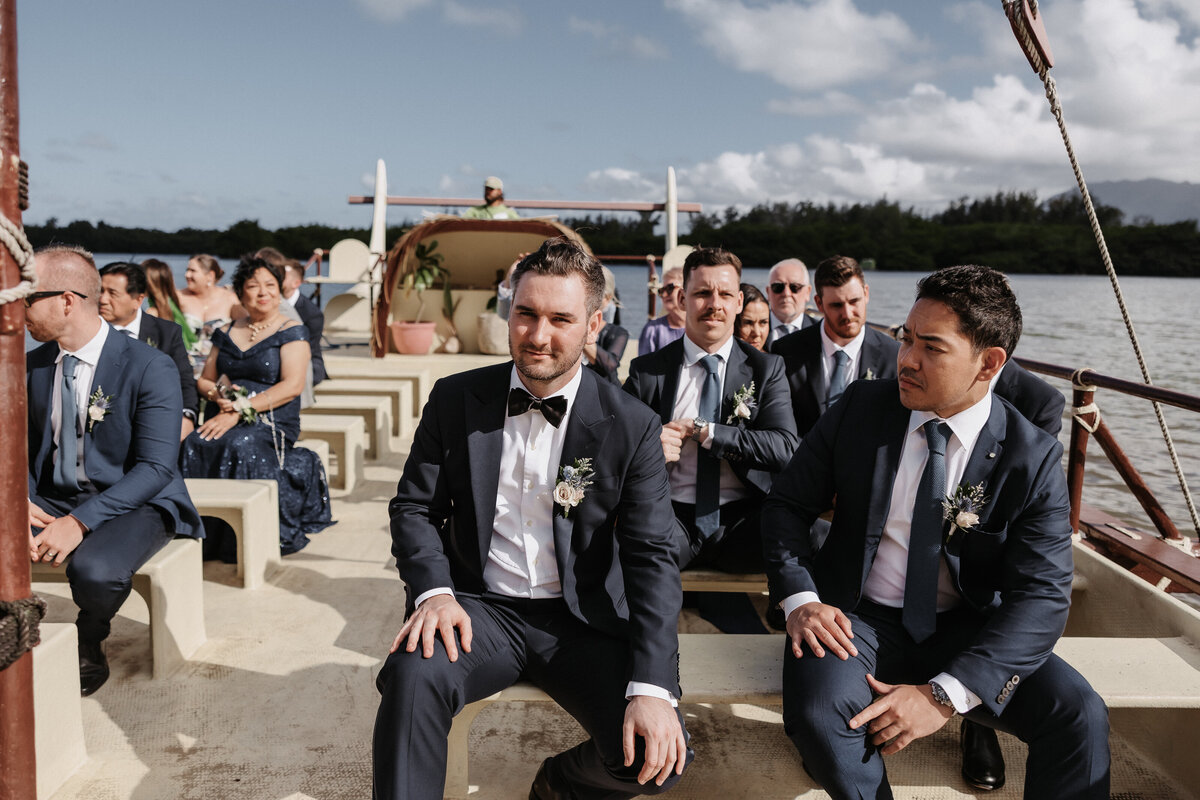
755	449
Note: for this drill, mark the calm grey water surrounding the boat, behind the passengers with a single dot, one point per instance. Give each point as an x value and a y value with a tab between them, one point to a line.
1071	321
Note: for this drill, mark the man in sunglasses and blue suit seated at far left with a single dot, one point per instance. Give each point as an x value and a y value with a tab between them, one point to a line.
105	489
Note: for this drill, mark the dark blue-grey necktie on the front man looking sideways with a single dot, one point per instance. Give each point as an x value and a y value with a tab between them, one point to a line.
920	615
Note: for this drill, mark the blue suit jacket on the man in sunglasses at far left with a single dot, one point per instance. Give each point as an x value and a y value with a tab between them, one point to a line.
131	455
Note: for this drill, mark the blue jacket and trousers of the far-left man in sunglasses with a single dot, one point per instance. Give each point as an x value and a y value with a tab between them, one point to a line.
136	500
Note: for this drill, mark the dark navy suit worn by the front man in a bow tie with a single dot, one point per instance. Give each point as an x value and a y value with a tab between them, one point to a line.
619	615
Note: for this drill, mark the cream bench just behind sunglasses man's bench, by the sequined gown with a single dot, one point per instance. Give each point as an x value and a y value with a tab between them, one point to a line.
253	510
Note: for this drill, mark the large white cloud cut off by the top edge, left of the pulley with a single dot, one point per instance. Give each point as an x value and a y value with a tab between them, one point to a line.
805	46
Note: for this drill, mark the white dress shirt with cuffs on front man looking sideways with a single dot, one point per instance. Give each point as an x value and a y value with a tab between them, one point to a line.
885	582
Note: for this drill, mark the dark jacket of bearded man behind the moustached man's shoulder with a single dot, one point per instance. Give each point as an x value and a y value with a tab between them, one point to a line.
802	356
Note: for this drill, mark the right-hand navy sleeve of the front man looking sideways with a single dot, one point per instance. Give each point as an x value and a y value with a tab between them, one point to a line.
1035	591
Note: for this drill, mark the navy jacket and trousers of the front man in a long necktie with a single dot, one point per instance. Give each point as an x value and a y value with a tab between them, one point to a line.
1013	572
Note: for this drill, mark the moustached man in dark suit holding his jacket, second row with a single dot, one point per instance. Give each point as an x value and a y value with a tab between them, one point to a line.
727	419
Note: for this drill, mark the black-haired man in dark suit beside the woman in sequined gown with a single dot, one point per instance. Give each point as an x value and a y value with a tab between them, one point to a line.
123	291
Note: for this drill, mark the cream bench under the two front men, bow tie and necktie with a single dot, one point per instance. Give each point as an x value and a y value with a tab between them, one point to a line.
723	669
